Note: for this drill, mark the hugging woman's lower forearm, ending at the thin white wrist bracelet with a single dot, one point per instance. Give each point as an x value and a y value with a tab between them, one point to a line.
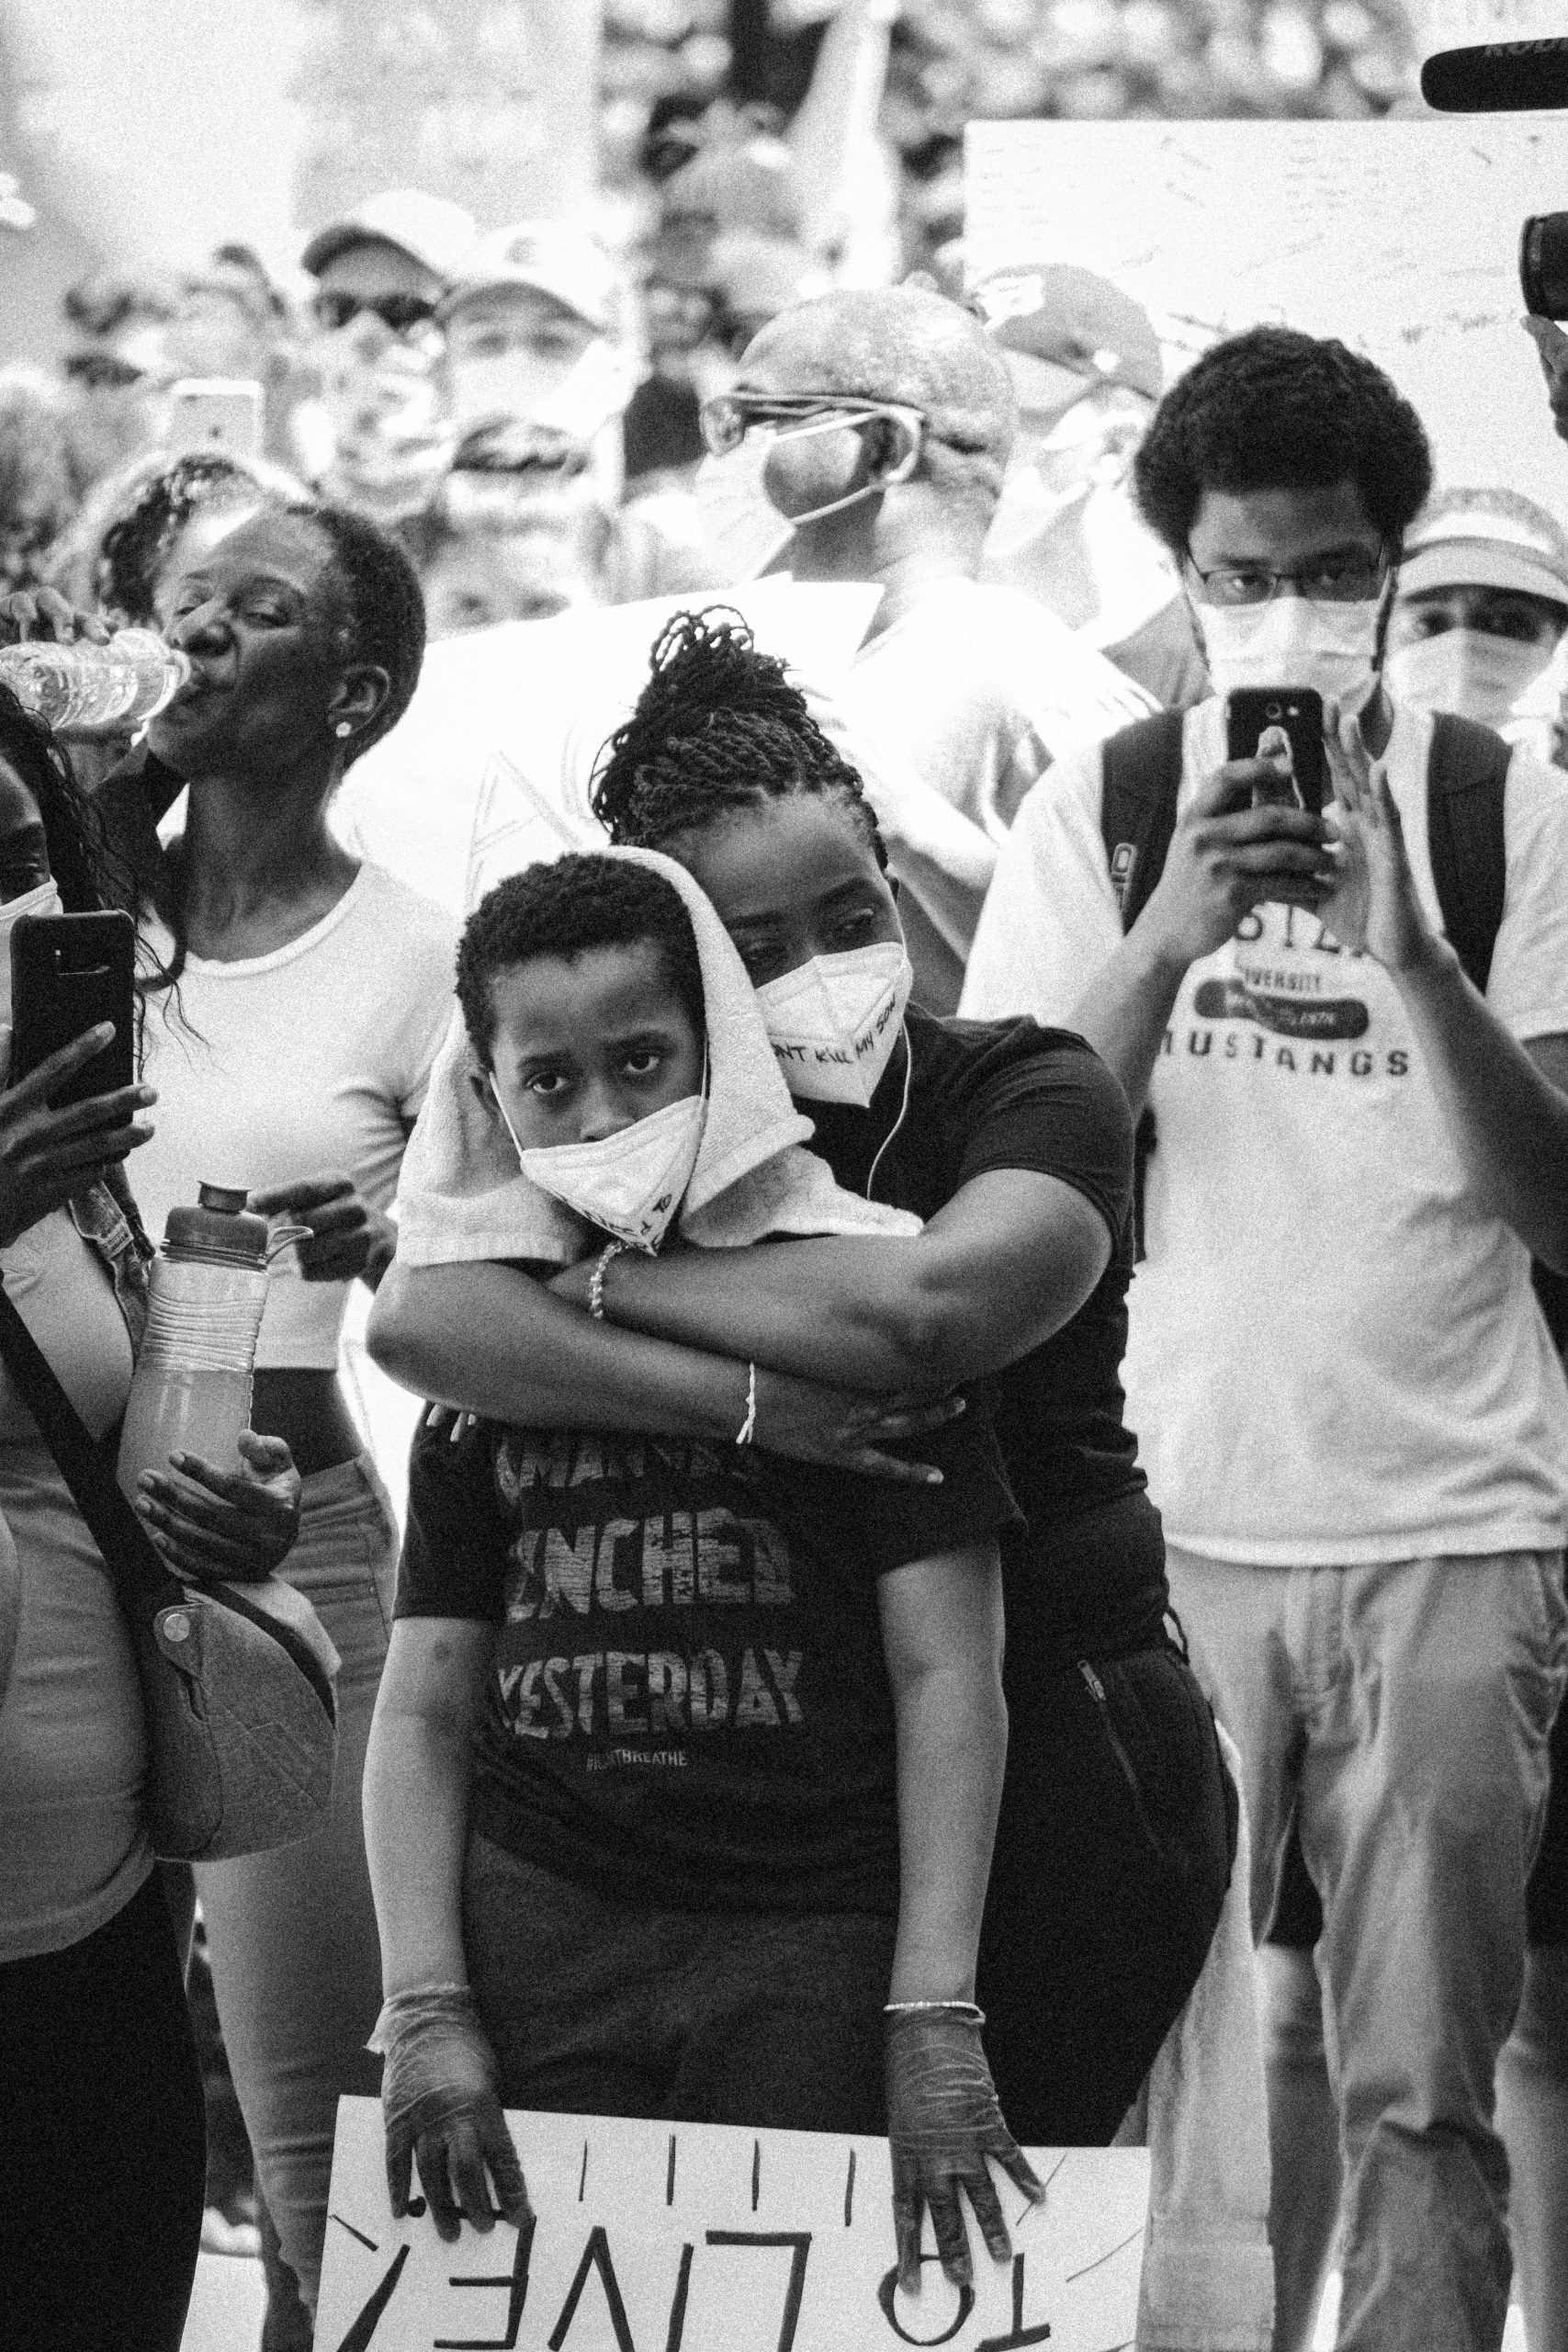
495	1342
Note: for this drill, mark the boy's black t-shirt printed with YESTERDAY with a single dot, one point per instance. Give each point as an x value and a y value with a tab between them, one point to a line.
690	1704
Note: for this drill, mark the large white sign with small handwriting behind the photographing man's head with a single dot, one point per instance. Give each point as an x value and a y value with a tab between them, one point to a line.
1398	236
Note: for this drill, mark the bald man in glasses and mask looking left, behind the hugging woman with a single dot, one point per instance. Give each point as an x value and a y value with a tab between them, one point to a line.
866	441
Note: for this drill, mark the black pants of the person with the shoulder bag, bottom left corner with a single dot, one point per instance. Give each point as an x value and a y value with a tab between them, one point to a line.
102	2141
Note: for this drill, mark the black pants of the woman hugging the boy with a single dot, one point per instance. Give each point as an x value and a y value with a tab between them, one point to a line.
1113	1857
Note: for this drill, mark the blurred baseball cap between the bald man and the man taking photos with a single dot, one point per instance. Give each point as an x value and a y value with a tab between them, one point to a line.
1064	328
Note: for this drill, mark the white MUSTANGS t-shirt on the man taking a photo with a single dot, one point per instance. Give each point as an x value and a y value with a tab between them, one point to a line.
1334	1354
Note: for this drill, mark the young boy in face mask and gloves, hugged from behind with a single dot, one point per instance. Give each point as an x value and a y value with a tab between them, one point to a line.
688	1758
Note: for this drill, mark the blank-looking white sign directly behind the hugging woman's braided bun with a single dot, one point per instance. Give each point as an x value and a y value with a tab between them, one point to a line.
434	799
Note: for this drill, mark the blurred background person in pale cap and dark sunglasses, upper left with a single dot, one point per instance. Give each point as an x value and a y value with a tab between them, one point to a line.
380	279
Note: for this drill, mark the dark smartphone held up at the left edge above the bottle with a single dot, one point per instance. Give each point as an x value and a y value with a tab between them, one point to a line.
69	973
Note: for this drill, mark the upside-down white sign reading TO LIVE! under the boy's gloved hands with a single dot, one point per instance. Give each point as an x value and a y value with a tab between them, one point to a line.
699	2238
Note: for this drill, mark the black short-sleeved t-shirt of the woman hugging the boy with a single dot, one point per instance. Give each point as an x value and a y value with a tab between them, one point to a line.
1012	1095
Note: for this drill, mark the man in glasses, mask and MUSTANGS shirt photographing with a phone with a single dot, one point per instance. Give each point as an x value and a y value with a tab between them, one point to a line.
1355	1419
